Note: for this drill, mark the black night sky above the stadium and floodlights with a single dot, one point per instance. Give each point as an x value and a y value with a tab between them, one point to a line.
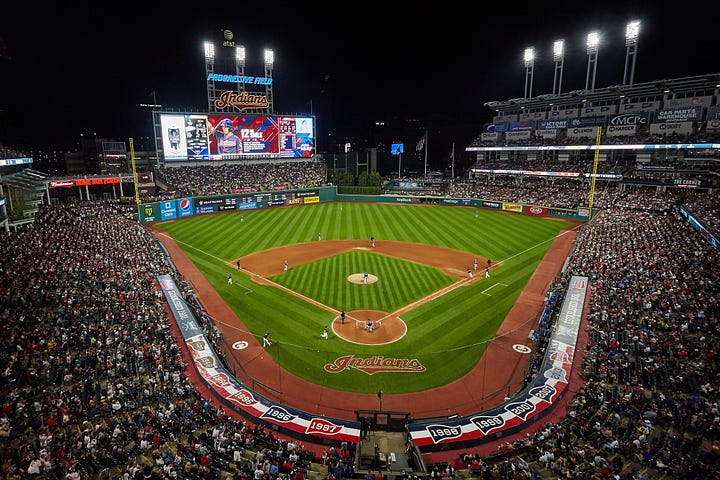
85	70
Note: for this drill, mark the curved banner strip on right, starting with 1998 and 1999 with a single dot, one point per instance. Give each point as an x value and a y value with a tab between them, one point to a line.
530	405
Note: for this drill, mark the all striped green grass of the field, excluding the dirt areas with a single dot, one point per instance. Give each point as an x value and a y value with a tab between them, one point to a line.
447	335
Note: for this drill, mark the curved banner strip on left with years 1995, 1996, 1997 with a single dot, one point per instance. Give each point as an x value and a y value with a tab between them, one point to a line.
233	392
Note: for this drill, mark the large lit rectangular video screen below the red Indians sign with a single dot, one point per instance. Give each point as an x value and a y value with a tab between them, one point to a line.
193	137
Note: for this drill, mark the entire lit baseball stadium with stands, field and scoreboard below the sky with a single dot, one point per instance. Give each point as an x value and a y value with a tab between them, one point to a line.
230	309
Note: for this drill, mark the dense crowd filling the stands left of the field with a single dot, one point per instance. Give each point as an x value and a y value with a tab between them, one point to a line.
93	381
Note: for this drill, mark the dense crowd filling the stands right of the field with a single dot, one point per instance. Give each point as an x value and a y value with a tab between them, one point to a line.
650	401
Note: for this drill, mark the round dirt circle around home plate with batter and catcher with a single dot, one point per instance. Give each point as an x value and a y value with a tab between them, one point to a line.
387	328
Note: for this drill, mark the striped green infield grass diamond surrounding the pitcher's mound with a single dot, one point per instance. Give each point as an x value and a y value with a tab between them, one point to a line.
399	282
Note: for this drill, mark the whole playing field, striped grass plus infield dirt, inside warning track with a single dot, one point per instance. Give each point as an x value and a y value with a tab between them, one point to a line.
435	321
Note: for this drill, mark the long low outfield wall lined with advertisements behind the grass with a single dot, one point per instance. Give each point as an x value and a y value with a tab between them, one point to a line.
188	206
